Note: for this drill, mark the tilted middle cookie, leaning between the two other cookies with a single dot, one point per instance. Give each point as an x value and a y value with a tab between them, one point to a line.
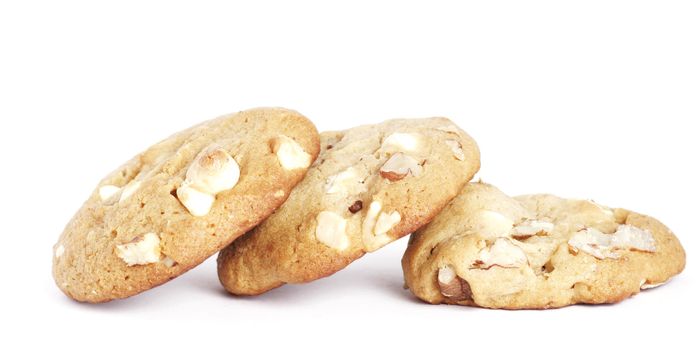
370	186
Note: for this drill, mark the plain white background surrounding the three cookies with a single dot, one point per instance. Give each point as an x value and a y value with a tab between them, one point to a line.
591	99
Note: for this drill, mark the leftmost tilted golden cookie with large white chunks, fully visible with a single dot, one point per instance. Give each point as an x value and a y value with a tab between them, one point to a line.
182	200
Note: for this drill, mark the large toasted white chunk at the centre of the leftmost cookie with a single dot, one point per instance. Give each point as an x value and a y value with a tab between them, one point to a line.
212	171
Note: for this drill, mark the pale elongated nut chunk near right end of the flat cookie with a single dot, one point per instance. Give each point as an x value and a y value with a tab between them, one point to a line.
601	245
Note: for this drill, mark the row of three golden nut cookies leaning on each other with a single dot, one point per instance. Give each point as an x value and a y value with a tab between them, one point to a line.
284	204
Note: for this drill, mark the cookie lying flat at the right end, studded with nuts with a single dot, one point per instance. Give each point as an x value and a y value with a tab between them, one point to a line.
537	252
